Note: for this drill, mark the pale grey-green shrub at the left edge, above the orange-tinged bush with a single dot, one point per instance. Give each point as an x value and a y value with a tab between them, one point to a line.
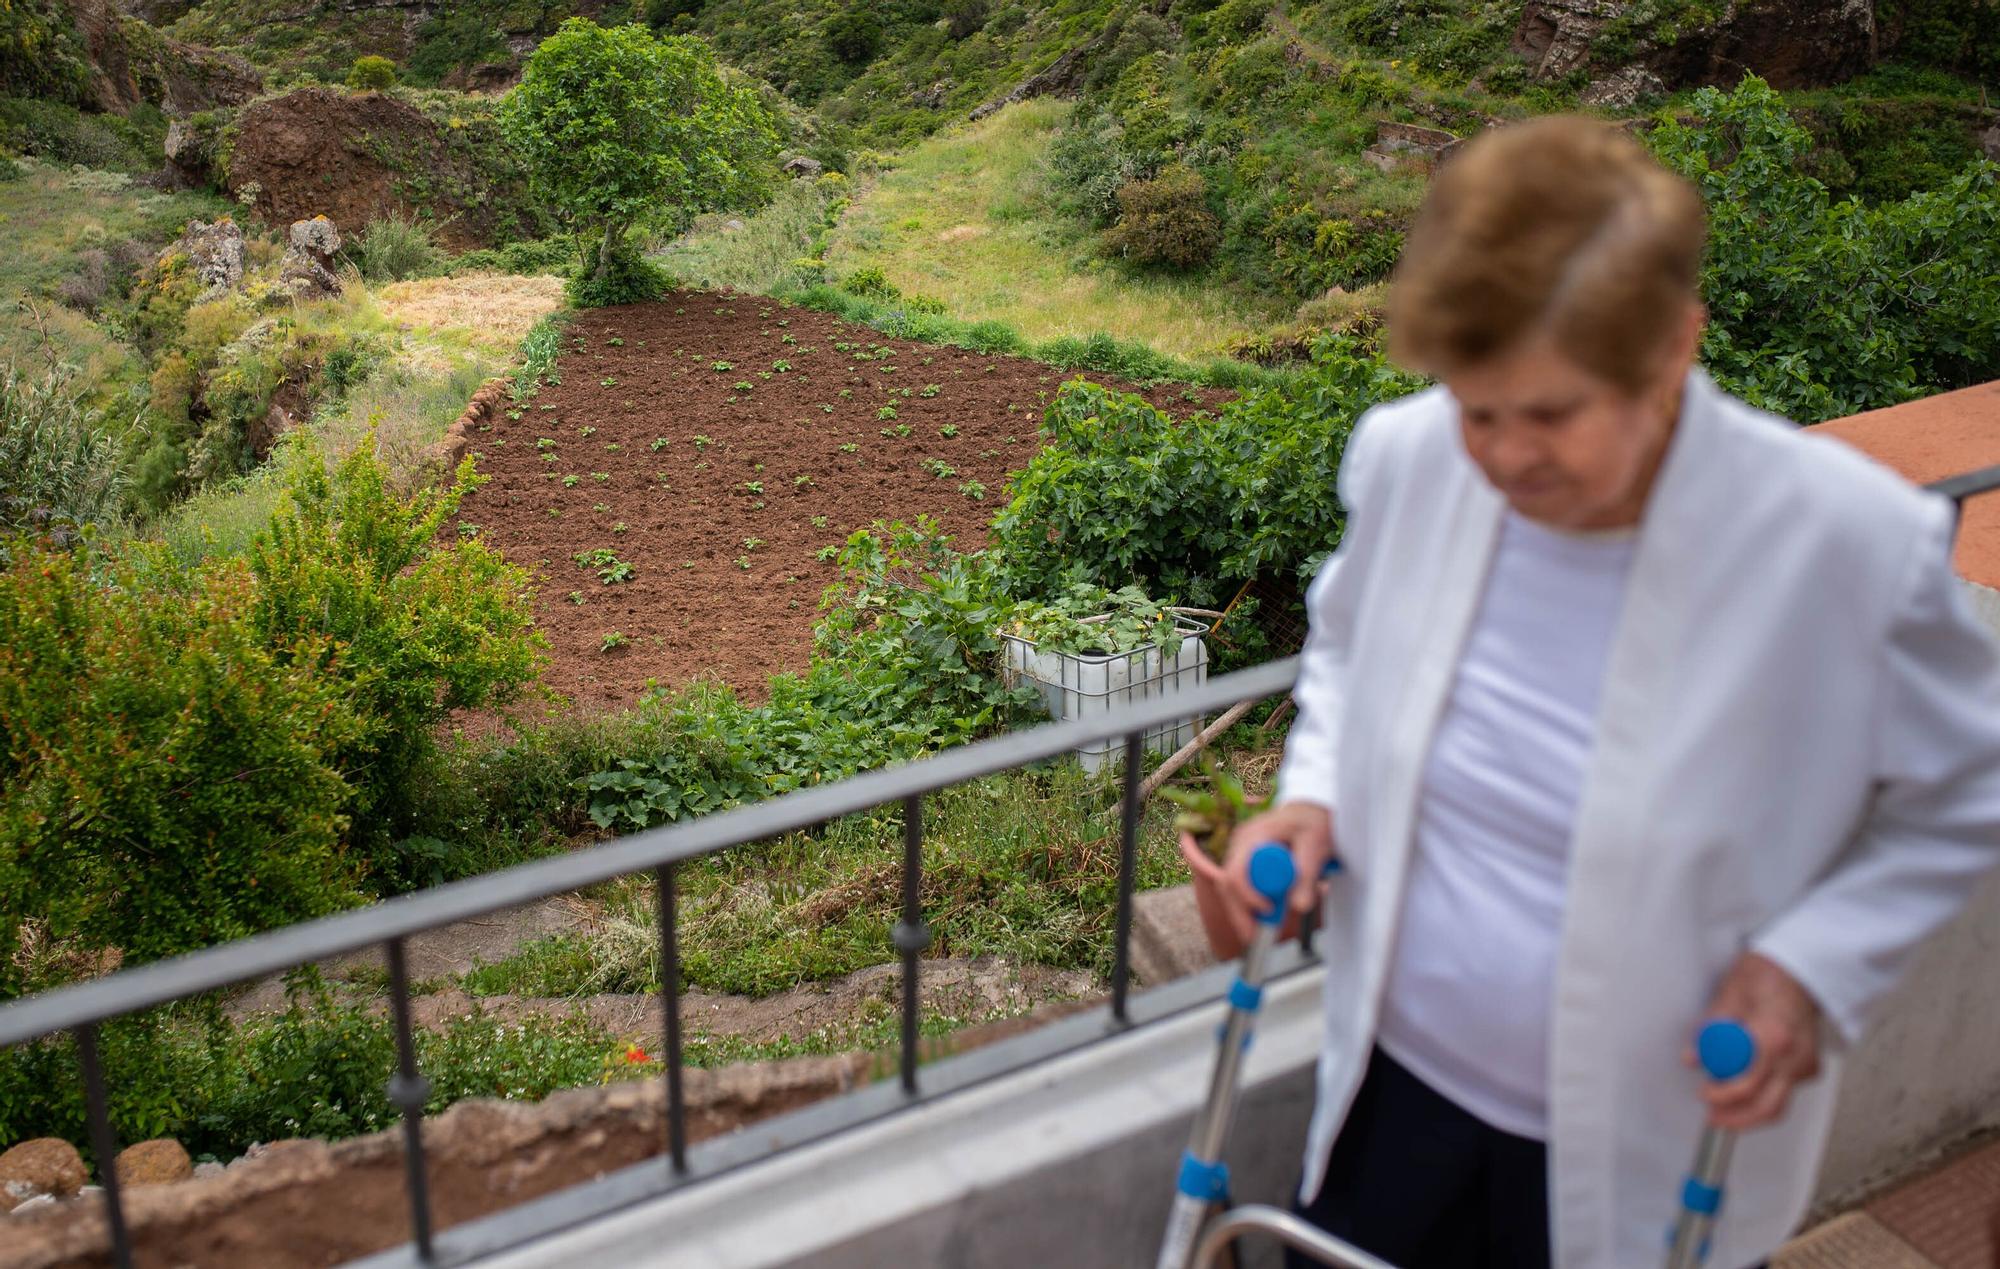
59	463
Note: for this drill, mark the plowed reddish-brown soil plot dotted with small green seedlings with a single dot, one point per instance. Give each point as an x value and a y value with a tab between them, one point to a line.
717	445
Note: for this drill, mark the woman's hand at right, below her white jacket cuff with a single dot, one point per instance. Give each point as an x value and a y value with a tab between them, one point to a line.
1785	1022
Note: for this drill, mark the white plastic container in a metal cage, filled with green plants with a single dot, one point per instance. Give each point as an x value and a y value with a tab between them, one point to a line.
1091	686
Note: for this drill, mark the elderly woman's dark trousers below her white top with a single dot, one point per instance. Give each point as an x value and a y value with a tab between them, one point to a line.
1427	1186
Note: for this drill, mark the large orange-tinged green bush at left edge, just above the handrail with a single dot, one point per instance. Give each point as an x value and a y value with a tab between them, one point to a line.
165	770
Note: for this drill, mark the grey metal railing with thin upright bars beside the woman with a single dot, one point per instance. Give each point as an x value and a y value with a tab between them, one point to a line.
83	1008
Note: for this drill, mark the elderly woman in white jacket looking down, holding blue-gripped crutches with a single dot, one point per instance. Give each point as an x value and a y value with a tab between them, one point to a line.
1625	708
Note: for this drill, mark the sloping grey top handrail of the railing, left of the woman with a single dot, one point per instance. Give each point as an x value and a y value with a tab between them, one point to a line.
275	952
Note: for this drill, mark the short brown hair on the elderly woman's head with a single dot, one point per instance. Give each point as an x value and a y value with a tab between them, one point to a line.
1559	225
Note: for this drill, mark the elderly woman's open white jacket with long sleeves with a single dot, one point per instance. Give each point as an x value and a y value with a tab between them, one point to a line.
1797	752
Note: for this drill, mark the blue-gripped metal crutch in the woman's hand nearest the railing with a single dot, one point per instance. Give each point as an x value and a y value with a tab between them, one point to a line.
1205	1180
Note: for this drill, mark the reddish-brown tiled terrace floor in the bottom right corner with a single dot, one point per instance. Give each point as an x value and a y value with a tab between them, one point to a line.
1947	1218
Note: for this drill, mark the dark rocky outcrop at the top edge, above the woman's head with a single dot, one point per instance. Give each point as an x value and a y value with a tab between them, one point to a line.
1791	43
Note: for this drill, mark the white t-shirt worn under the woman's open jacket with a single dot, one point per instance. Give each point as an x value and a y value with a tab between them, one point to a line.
1473	980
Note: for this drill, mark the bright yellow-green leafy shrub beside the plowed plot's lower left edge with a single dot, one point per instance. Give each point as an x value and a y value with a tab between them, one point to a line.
355	585
